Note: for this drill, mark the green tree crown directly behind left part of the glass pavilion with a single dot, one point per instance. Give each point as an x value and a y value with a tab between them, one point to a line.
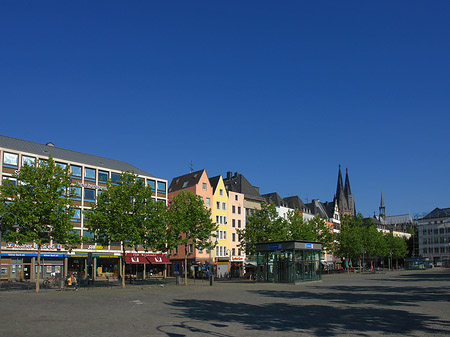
263	225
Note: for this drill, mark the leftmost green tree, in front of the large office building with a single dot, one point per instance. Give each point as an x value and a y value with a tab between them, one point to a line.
41	201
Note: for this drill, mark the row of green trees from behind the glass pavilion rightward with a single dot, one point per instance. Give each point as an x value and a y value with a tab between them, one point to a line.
357	238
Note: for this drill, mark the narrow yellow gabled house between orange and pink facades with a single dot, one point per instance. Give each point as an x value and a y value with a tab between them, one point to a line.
219	214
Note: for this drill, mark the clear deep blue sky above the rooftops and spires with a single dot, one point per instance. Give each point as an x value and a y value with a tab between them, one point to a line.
282	92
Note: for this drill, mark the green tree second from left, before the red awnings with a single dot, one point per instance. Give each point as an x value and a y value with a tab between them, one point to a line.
126	212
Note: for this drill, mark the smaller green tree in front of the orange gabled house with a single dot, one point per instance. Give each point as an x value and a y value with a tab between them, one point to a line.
189	222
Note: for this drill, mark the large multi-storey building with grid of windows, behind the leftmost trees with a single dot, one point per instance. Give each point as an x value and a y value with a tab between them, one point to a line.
89	175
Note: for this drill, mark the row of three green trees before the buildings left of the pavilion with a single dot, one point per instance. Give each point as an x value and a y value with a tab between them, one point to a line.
40	200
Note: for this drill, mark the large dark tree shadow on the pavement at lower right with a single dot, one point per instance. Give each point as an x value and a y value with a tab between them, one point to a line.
322	320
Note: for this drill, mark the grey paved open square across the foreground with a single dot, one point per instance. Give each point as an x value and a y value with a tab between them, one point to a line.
412	303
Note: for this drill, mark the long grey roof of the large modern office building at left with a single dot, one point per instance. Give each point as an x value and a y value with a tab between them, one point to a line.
58	154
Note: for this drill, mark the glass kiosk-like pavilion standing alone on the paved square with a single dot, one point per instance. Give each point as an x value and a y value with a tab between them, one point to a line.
288	262
